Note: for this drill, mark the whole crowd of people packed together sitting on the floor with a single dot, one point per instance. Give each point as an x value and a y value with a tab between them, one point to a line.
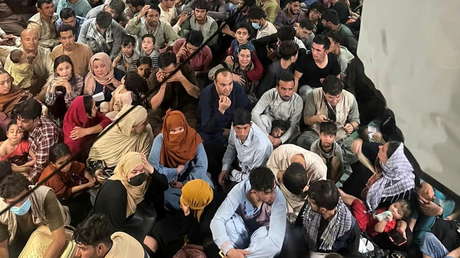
203	128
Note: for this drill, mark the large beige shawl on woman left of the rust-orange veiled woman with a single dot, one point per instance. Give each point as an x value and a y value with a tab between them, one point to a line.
120	139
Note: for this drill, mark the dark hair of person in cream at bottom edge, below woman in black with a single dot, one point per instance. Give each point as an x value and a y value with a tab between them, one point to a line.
94	230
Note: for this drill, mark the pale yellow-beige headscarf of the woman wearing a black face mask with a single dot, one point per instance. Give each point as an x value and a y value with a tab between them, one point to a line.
128	163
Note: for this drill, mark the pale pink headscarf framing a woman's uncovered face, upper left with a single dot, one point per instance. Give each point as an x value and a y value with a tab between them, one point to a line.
91	78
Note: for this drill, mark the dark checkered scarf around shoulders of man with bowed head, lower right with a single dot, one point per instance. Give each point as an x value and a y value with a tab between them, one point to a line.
341	223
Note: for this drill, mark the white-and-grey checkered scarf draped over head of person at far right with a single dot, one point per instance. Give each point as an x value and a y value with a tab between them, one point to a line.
397	178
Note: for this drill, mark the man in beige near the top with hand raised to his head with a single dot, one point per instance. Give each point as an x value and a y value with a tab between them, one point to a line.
148	22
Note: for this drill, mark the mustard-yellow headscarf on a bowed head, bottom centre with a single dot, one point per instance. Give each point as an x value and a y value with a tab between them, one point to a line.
196	194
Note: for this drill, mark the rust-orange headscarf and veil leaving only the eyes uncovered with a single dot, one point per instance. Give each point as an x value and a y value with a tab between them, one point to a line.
177	148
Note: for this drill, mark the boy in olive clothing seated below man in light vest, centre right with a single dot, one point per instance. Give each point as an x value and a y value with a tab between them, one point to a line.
329	150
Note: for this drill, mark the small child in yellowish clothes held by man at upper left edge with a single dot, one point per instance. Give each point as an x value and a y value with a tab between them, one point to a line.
21	70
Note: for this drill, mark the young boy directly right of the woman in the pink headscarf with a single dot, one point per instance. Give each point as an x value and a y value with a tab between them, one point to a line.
126	60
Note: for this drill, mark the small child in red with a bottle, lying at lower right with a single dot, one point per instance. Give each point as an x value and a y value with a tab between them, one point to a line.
382	220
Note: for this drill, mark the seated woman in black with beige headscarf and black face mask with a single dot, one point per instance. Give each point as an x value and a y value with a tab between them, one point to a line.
120	196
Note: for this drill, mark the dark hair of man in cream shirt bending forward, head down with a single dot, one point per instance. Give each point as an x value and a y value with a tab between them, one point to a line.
295	178
